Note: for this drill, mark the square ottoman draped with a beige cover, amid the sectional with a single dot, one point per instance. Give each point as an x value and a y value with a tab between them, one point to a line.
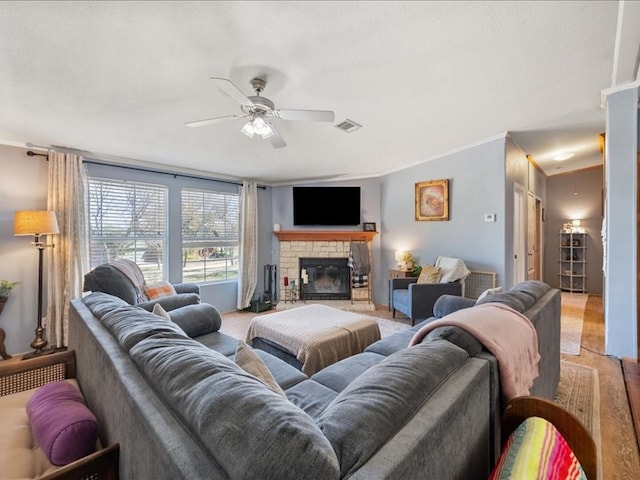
313	336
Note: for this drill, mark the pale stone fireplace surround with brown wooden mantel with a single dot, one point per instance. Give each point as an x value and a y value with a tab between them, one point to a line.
332	246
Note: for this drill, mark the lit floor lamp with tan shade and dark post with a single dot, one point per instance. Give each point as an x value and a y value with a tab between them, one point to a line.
37	223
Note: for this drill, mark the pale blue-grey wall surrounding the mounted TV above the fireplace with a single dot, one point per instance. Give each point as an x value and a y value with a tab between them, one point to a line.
370	205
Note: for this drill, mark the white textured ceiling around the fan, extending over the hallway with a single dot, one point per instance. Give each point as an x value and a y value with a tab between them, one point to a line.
120	79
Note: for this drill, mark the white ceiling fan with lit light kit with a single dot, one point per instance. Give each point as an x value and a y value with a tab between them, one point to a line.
260	111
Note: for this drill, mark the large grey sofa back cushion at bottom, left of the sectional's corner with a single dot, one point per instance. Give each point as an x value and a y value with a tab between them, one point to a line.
232	412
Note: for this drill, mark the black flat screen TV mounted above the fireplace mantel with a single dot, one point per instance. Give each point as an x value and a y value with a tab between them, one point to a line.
331	206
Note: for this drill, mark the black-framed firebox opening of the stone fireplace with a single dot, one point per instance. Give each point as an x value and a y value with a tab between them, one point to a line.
324	279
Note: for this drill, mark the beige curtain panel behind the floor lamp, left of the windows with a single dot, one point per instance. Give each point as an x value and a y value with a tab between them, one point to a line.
69	259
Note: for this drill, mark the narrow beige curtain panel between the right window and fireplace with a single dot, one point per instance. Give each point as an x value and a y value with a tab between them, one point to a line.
248	262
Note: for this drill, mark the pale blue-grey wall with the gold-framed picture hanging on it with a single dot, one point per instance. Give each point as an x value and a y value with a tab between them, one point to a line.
476	187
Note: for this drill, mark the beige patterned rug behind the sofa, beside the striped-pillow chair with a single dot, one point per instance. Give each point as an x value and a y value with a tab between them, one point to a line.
579	393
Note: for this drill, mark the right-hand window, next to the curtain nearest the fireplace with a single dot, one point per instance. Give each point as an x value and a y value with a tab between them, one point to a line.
209	235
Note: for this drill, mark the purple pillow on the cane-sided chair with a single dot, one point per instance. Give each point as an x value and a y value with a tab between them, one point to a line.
62	425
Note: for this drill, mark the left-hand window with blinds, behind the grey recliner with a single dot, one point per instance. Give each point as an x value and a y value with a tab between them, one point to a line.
129	220
